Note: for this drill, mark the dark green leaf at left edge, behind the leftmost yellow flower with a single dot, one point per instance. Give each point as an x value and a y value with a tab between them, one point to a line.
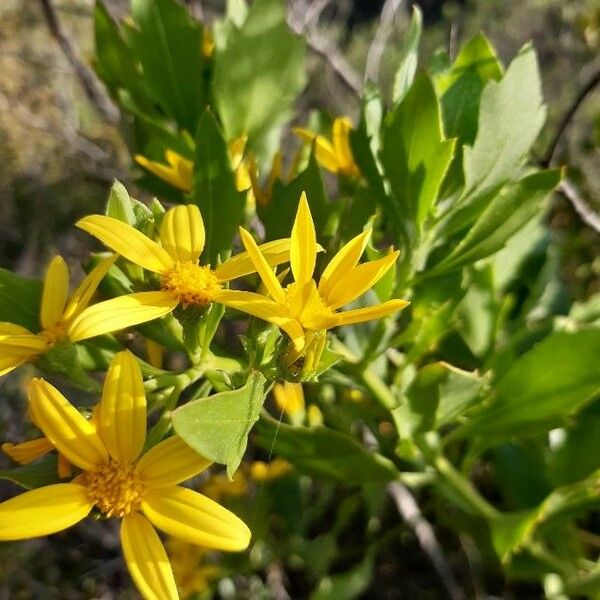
20	300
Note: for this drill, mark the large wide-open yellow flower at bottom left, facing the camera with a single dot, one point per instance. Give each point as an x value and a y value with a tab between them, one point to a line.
117	481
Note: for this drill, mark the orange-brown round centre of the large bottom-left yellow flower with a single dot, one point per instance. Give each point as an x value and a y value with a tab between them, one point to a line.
115	489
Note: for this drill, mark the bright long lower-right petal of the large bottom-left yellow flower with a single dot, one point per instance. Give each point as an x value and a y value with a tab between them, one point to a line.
195	518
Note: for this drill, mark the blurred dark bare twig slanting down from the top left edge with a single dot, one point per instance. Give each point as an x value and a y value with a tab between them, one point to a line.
88	80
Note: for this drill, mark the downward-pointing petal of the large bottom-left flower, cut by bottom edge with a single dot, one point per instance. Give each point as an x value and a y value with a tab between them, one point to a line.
146	559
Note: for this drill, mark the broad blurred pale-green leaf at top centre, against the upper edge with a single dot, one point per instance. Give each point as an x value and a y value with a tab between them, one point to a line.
259	74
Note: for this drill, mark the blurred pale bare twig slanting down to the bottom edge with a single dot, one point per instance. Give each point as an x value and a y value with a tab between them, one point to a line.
410	512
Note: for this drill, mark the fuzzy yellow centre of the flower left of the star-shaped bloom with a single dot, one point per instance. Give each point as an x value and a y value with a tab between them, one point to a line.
191	283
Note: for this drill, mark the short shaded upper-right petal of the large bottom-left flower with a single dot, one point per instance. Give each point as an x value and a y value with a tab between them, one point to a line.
170	462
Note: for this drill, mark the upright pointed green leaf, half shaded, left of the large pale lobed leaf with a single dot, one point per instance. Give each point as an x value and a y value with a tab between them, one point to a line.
415	154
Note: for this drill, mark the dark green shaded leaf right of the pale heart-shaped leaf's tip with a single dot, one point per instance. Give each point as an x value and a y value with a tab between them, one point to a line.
324	452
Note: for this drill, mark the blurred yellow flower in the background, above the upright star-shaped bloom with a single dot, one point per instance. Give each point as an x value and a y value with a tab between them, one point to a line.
335	155
